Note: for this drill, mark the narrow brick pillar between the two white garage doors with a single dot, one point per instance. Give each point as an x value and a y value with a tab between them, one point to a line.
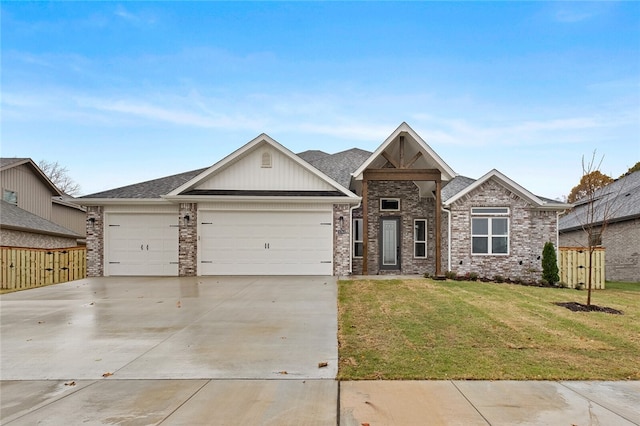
188	240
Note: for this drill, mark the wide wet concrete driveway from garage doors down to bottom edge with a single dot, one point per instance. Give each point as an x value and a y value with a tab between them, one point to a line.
151	350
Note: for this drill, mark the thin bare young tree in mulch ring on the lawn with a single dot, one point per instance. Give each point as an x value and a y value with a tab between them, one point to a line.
594	210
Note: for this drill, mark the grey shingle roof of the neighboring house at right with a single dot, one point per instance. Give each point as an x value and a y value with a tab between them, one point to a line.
621	198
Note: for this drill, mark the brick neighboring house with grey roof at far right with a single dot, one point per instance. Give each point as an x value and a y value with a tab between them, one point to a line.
619	203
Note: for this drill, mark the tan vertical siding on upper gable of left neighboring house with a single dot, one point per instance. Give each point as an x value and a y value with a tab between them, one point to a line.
33	195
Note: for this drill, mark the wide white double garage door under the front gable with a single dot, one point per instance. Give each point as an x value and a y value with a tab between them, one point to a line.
265	243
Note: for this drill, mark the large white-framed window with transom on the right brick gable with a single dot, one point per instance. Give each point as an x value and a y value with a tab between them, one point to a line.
490	234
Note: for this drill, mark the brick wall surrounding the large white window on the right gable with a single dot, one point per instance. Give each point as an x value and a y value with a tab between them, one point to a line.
529	230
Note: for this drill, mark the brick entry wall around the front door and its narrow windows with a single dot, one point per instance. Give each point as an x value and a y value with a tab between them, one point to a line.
411	207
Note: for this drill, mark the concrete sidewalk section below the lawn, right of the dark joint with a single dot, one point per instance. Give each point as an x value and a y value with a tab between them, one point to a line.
489	403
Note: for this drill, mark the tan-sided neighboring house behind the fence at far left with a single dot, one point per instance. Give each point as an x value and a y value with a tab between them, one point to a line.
33	212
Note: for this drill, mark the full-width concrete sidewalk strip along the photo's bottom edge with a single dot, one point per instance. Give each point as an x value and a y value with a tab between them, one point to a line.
315	402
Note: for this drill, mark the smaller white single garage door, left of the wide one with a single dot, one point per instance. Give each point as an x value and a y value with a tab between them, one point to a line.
142	244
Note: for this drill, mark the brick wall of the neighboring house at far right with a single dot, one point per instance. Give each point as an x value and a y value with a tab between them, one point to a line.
622	249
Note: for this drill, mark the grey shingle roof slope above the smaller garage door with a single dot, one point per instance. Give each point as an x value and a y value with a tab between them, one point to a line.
150	189
